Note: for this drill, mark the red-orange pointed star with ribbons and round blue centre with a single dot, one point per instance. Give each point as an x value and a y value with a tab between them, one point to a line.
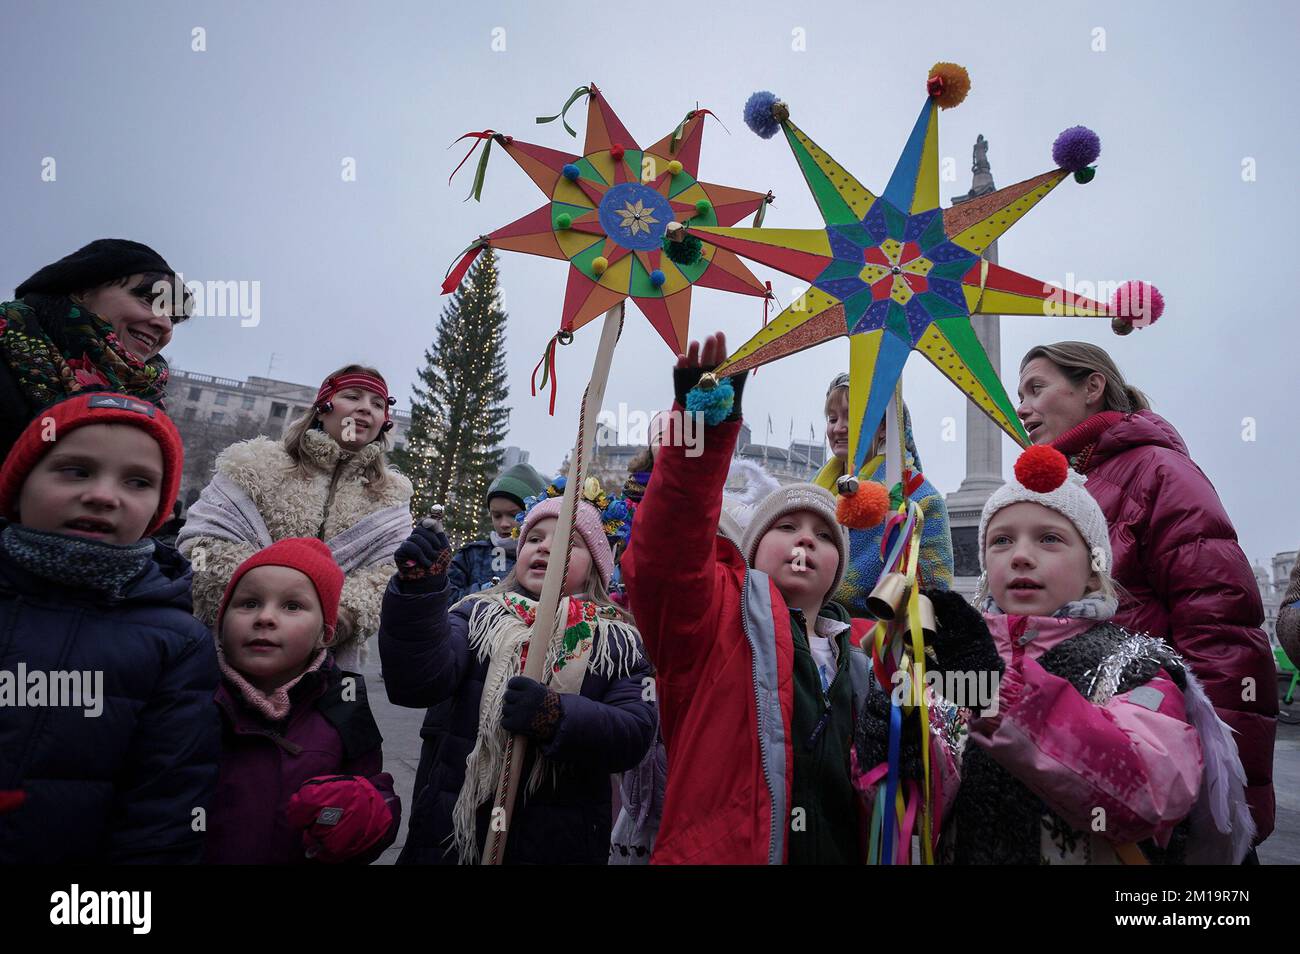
609	215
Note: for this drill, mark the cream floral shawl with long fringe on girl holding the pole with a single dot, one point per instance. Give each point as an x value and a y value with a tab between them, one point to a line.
500	628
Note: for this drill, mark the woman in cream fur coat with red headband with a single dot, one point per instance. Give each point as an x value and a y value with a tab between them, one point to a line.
327	479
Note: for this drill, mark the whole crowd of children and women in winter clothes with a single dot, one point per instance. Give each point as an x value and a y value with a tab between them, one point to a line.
710	695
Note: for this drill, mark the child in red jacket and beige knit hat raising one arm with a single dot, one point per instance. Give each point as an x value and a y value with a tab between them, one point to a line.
757	678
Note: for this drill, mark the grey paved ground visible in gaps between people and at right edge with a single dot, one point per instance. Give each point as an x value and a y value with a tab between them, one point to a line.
401	728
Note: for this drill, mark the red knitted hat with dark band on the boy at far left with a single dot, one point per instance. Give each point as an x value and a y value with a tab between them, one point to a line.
79	411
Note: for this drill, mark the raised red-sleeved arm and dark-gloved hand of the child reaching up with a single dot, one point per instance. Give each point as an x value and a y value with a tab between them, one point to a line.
670	567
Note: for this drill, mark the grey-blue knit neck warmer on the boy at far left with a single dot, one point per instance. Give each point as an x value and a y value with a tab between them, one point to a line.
76	561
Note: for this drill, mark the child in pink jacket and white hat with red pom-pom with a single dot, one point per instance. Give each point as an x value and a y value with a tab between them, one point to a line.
1100	745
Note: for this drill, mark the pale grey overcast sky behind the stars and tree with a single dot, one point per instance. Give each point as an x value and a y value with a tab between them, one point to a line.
229	162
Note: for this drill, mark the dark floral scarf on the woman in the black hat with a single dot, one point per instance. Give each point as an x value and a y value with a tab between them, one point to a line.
57	349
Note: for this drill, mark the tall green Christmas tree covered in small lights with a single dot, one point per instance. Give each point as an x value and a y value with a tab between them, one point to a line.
458	418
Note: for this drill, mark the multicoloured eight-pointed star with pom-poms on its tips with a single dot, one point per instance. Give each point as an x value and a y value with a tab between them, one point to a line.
896	274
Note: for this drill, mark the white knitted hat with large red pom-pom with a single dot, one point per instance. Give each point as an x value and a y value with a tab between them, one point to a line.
1042	469
